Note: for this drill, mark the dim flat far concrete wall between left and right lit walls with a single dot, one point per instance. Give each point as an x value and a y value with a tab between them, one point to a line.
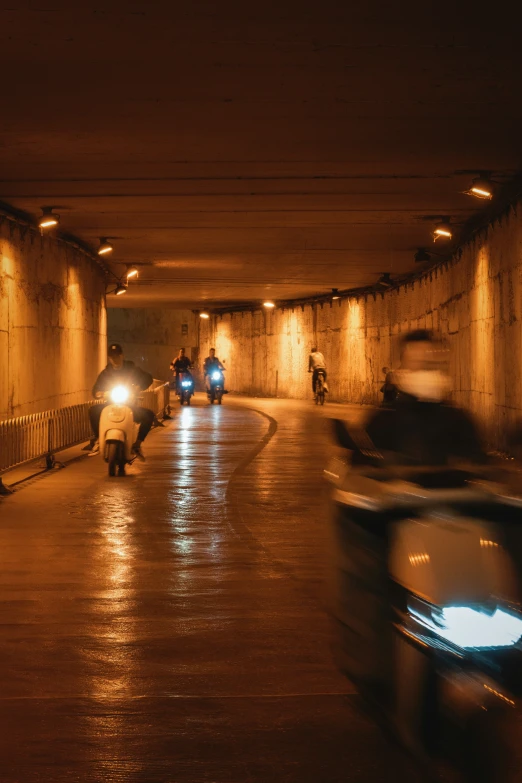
152	337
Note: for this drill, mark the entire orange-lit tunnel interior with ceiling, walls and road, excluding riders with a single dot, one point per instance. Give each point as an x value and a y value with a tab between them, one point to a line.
269	181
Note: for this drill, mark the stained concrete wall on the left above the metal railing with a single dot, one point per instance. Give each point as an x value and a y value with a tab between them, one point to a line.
52	322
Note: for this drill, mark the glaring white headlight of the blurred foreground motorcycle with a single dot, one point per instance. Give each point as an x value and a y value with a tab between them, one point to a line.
474	629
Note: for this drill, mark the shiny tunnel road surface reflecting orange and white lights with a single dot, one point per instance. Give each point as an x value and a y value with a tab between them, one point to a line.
170	626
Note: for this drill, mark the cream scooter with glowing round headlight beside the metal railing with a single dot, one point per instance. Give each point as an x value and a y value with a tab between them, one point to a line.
118	430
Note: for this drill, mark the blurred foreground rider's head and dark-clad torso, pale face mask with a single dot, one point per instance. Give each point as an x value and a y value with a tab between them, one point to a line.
421	425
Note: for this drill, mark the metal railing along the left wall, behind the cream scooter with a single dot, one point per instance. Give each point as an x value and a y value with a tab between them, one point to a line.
41	435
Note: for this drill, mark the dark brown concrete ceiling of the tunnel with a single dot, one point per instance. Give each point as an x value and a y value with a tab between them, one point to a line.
239	151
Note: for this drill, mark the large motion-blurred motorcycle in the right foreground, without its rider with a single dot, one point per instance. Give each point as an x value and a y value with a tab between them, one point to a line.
426	607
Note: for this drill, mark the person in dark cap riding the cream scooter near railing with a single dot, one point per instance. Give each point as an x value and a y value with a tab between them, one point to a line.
125	373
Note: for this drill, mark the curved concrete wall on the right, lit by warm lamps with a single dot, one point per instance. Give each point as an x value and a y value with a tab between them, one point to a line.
476	301
